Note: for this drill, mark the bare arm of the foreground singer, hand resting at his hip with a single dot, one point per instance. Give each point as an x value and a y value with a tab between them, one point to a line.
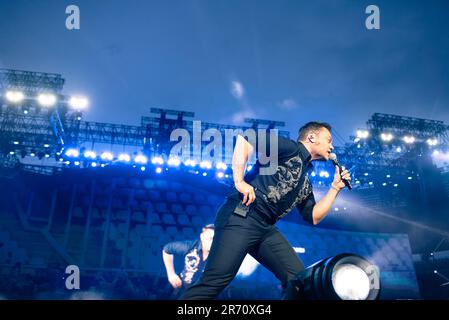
242	152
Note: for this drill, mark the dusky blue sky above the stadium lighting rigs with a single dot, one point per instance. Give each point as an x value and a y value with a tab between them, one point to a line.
292	61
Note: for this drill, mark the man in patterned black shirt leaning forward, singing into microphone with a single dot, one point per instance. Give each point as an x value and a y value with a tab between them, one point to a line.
246	221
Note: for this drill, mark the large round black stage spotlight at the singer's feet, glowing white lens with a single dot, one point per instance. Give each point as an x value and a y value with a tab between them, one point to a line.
342	277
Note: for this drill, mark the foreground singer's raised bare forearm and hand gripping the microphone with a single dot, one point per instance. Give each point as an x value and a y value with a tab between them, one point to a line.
323	206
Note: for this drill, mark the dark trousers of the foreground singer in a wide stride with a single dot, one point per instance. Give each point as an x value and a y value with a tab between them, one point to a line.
235	236
